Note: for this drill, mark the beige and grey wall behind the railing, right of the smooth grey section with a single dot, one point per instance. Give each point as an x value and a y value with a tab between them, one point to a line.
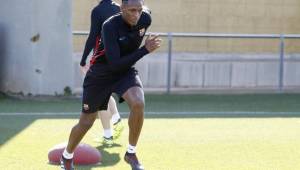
215	63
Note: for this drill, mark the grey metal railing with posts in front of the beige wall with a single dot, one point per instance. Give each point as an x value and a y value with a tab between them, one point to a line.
170	36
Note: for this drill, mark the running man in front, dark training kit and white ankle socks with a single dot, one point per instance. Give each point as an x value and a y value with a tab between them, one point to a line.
113	71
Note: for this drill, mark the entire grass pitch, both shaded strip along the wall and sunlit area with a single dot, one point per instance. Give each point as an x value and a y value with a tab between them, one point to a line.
202	132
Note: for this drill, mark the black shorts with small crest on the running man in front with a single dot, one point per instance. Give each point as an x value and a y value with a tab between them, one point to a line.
98	89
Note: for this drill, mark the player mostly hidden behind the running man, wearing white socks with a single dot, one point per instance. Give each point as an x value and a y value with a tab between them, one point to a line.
104	10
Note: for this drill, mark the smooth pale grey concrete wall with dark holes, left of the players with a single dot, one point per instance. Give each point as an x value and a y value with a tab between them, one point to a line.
35	47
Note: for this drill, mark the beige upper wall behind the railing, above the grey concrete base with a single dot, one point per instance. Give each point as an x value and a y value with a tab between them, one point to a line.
213	16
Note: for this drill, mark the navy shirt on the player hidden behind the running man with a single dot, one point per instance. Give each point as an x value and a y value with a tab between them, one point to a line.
104	10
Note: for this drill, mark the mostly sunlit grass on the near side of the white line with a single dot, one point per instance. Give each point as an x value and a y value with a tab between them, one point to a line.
166	143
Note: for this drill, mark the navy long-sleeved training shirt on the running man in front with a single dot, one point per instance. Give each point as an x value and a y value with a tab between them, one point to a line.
120	42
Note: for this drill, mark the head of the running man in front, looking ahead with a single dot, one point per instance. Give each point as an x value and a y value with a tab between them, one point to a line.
132	10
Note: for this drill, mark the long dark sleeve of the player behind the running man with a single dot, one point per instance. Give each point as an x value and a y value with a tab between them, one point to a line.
94	31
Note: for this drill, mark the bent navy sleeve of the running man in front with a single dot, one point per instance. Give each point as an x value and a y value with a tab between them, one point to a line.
118	63
